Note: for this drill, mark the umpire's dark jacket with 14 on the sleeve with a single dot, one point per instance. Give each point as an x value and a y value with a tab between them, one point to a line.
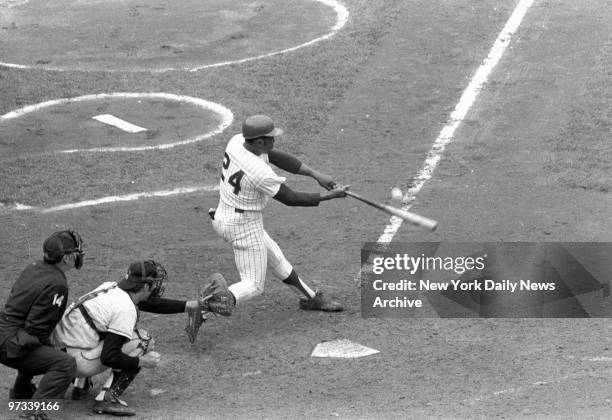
34	307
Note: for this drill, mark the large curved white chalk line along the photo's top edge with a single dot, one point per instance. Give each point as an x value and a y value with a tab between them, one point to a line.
341	19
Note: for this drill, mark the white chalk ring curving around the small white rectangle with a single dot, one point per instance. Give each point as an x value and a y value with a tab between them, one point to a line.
225	115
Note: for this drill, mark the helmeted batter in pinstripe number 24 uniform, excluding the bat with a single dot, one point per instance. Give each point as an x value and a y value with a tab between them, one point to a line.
247	183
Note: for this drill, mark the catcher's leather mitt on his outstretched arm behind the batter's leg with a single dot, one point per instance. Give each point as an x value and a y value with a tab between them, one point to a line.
214	297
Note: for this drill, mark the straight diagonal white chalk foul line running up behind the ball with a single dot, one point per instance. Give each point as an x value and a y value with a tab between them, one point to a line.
457	116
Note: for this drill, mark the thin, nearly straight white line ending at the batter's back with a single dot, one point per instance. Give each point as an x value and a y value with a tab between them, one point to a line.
117	198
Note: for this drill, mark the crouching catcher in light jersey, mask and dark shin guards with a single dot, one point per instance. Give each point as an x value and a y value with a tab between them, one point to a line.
100	331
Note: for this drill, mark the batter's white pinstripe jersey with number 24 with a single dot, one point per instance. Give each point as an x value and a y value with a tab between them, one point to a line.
247	180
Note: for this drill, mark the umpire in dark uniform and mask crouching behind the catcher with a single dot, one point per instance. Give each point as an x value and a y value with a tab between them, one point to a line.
35	305
